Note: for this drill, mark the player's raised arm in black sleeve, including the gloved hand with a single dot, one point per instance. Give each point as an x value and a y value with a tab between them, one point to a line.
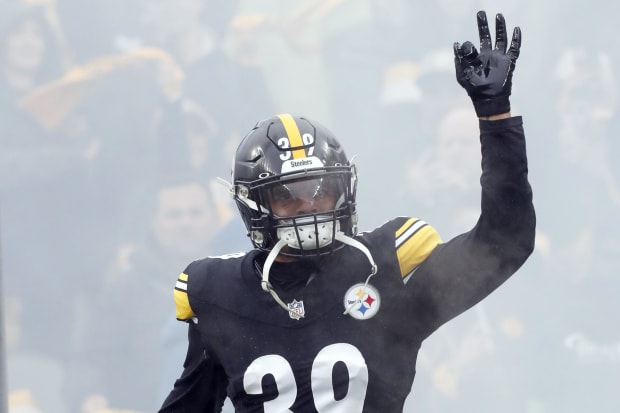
461	272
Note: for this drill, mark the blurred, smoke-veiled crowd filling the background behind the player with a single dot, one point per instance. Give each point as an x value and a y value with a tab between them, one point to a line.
118	117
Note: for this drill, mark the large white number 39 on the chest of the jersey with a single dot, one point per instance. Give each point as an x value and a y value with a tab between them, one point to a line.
321	380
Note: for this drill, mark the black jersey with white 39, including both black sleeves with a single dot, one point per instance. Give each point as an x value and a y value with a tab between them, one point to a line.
349	343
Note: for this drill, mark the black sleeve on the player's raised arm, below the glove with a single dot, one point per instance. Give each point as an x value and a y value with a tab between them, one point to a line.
461	272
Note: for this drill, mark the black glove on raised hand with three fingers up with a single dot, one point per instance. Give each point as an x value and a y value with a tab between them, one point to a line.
487	76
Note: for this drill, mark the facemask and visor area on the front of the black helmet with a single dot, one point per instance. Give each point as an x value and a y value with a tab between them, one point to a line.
326	205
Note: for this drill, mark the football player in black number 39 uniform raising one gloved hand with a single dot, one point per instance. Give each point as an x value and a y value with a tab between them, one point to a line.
320	318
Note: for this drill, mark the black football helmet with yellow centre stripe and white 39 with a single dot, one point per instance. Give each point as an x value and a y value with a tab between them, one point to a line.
284	154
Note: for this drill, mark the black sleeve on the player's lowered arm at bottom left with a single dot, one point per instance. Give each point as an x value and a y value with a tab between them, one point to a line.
202	385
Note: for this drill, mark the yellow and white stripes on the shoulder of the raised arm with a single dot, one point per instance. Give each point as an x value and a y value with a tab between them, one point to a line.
415	240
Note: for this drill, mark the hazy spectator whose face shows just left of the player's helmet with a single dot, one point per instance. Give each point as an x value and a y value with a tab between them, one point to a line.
122	353
